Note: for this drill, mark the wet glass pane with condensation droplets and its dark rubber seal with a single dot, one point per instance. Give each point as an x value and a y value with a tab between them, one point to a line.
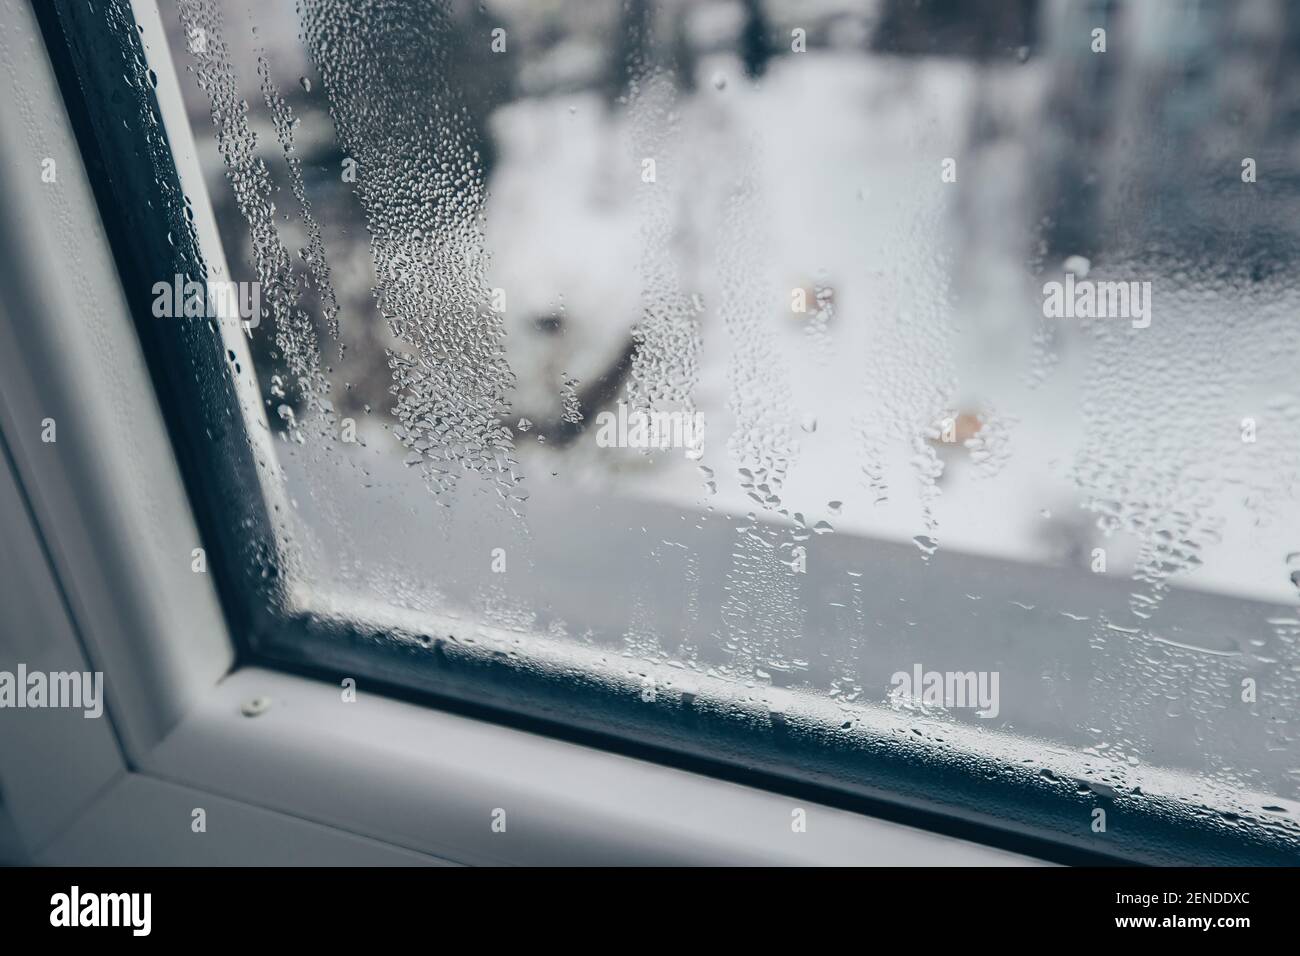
887	396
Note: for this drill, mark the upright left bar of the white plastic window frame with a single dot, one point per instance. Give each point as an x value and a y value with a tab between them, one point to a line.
107	494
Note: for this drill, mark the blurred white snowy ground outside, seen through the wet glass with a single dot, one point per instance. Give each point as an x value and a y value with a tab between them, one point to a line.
830	174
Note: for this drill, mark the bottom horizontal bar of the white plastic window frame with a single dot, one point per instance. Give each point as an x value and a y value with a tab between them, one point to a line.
431	782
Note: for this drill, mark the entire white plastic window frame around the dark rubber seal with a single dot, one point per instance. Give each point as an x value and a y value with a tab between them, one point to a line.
97	555
